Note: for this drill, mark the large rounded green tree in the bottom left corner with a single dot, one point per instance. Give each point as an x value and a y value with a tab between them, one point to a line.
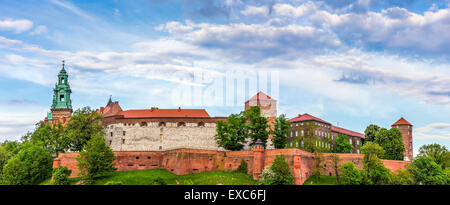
31	165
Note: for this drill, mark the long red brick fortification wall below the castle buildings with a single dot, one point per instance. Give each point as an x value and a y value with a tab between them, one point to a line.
188	161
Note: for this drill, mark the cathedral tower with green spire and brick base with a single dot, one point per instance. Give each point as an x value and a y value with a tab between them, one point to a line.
61	108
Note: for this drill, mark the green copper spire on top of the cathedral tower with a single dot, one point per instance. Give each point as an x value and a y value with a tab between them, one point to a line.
62	91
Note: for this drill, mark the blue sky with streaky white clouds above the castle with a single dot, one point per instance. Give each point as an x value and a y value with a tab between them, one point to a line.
352	62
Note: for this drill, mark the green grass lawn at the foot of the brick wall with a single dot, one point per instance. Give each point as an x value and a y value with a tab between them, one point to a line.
148	177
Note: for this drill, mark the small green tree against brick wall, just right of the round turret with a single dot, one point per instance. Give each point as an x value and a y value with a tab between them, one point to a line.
280	168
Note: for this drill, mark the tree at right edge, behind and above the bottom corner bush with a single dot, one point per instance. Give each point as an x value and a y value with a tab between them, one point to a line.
439	154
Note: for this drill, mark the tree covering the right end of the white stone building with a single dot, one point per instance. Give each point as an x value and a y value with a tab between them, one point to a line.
231	134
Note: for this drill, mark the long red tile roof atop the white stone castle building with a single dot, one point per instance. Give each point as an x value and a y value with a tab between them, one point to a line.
163	113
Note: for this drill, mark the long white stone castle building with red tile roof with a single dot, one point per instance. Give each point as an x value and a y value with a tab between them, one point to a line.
158	129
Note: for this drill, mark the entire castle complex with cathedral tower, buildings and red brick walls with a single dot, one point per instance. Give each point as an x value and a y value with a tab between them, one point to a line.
182	140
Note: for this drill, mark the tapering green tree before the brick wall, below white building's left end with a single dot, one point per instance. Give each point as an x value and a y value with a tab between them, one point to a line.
96	158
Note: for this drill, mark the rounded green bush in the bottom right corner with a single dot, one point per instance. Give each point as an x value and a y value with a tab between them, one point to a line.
427	172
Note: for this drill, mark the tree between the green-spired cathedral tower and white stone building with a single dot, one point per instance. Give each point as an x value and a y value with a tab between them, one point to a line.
83	125
